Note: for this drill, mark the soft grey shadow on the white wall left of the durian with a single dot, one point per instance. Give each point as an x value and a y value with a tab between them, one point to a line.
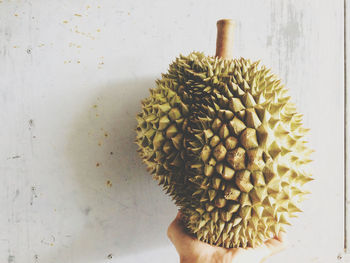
125	211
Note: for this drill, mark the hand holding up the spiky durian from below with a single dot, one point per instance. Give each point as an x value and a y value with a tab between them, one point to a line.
192	250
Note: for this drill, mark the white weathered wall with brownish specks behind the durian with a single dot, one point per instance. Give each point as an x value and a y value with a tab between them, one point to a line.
72	74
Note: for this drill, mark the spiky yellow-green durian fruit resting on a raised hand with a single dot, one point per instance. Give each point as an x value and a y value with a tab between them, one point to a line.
224	140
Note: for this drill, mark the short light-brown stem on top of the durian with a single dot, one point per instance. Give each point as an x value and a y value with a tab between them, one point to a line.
224	39
